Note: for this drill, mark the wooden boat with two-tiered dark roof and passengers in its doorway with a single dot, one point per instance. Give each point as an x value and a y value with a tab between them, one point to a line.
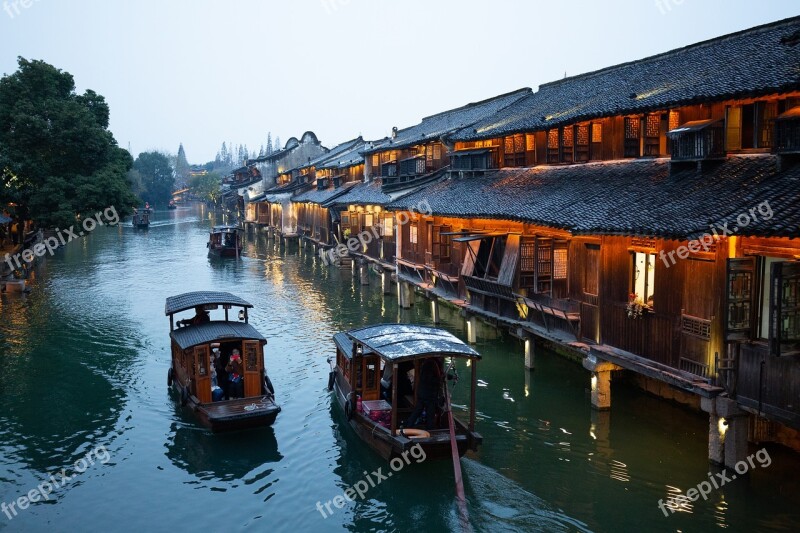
200	346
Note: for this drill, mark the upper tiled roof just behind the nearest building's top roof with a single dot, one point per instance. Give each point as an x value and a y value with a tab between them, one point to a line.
435	126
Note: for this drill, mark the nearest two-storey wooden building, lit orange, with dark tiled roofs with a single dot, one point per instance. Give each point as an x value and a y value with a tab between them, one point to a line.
644	216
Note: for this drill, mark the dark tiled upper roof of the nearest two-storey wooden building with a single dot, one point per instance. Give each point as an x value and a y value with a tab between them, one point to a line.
759	61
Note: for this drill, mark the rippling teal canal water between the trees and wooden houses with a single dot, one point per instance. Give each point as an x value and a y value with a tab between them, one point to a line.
83	395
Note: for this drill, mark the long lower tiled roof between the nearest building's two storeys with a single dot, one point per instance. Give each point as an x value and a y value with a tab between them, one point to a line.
629	197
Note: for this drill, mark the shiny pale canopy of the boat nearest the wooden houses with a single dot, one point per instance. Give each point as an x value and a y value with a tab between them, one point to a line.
402	342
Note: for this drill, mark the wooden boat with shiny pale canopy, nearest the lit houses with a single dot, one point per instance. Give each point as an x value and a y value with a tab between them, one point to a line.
363	356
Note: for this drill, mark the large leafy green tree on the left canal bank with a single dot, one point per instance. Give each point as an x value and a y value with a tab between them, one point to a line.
58	160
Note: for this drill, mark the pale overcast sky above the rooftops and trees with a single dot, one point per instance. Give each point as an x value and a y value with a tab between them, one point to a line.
205	71
